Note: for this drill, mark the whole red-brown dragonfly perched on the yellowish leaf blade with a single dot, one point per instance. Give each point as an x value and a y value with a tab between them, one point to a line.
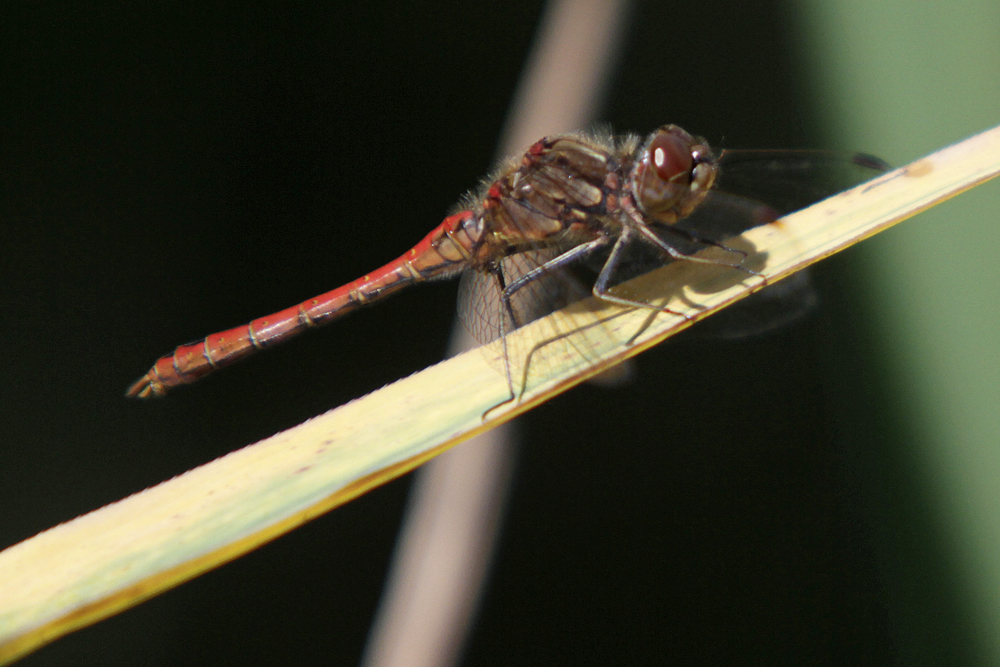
570	200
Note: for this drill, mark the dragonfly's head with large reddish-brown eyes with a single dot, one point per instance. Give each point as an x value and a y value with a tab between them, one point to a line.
672	175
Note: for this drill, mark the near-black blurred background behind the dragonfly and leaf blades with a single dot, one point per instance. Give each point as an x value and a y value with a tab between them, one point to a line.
169	170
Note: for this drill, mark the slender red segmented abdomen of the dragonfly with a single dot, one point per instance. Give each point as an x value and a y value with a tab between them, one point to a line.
444	252
